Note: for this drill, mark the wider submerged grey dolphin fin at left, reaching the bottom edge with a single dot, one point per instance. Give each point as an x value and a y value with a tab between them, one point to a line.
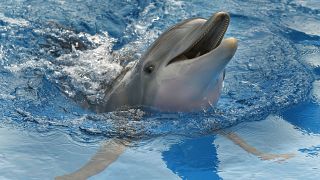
107	154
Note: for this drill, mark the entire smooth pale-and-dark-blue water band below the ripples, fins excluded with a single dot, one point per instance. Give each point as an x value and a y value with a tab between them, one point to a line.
174	157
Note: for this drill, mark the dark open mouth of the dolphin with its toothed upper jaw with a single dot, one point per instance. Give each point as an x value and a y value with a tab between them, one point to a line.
210	37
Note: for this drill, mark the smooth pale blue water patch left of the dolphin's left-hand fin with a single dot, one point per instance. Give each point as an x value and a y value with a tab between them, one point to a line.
25	155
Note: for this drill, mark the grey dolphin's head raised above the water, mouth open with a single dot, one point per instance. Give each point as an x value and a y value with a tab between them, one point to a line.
183	70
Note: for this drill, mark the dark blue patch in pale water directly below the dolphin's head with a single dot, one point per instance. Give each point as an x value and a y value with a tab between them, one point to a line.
193	158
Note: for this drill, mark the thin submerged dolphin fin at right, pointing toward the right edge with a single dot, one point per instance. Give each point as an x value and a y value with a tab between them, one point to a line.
252	150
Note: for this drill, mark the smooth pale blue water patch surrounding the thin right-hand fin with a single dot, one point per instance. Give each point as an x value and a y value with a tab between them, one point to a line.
274	134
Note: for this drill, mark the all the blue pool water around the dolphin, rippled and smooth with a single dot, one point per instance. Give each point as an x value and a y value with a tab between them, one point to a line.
54	53
